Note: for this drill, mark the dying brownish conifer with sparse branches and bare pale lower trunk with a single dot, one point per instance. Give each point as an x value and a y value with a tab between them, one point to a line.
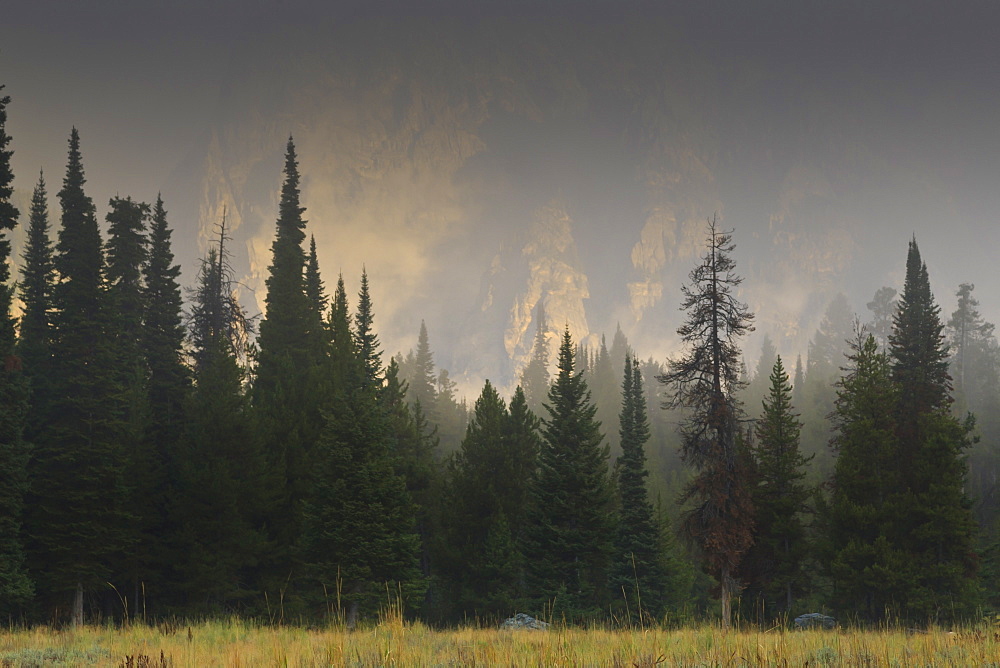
704	380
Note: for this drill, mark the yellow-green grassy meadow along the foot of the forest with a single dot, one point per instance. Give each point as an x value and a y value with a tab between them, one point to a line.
394	643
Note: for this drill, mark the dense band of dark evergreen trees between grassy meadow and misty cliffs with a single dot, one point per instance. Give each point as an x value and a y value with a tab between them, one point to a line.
160	461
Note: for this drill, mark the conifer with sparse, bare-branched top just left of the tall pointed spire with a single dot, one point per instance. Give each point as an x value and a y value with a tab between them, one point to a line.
221	503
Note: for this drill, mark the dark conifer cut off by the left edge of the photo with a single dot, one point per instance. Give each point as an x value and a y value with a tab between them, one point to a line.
15	586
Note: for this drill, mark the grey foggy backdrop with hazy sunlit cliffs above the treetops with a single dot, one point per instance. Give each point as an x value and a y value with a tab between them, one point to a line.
435	138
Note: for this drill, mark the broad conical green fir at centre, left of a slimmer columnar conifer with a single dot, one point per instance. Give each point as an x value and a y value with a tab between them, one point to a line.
568	541
